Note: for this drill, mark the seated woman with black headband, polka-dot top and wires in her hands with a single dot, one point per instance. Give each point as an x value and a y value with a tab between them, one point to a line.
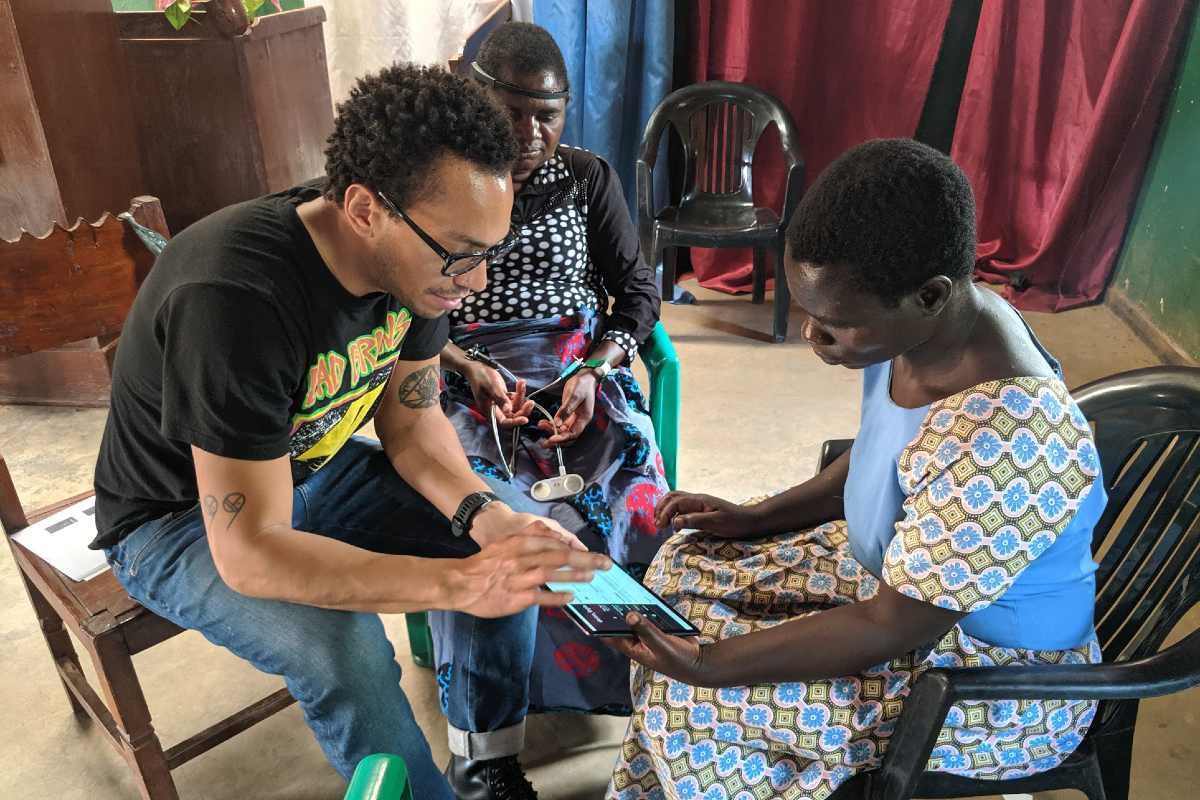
574	287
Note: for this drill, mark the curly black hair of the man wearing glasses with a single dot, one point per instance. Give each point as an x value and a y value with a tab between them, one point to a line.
399	122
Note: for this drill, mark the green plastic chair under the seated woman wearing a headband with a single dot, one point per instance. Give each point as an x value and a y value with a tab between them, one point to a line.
663	366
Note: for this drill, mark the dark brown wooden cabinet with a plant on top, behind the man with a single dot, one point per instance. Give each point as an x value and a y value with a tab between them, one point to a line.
224	121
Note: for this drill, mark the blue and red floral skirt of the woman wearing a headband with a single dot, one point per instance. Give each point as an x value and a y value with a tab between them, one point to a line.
622	468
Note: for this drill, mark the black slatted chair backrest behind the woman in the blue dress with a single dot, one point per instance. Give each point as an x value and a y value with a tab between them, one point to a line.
1148	542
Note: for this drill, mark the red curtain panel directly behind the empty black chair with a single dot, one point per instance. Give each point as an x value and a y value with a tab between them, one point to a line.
848	71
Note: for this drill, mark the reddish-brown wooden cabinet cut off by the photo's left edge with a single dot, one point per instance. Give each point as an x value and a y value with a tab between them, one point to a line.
69	145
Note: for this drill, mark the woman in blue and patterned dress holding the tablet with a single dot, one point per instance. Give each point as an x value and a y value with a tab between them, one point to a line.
956	533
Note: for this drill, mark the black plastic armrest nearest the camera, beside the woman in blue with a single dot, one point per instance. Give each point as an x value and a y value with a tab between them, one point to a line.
1174	670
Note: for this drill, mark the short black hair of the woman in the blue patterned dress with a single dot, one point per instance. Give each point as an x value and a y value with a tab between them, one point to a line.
893	214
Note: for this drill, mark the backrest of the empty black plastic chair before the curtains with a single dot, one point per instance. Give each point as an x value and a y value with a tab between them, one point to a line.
719	125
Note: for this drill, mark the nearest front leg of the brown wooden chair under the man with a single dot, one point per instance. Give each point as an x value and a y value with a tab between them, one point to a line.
141	745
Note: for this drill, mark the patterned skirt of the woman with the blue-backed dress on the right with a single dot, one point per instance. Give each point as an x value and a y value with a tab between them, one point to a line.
802	741
